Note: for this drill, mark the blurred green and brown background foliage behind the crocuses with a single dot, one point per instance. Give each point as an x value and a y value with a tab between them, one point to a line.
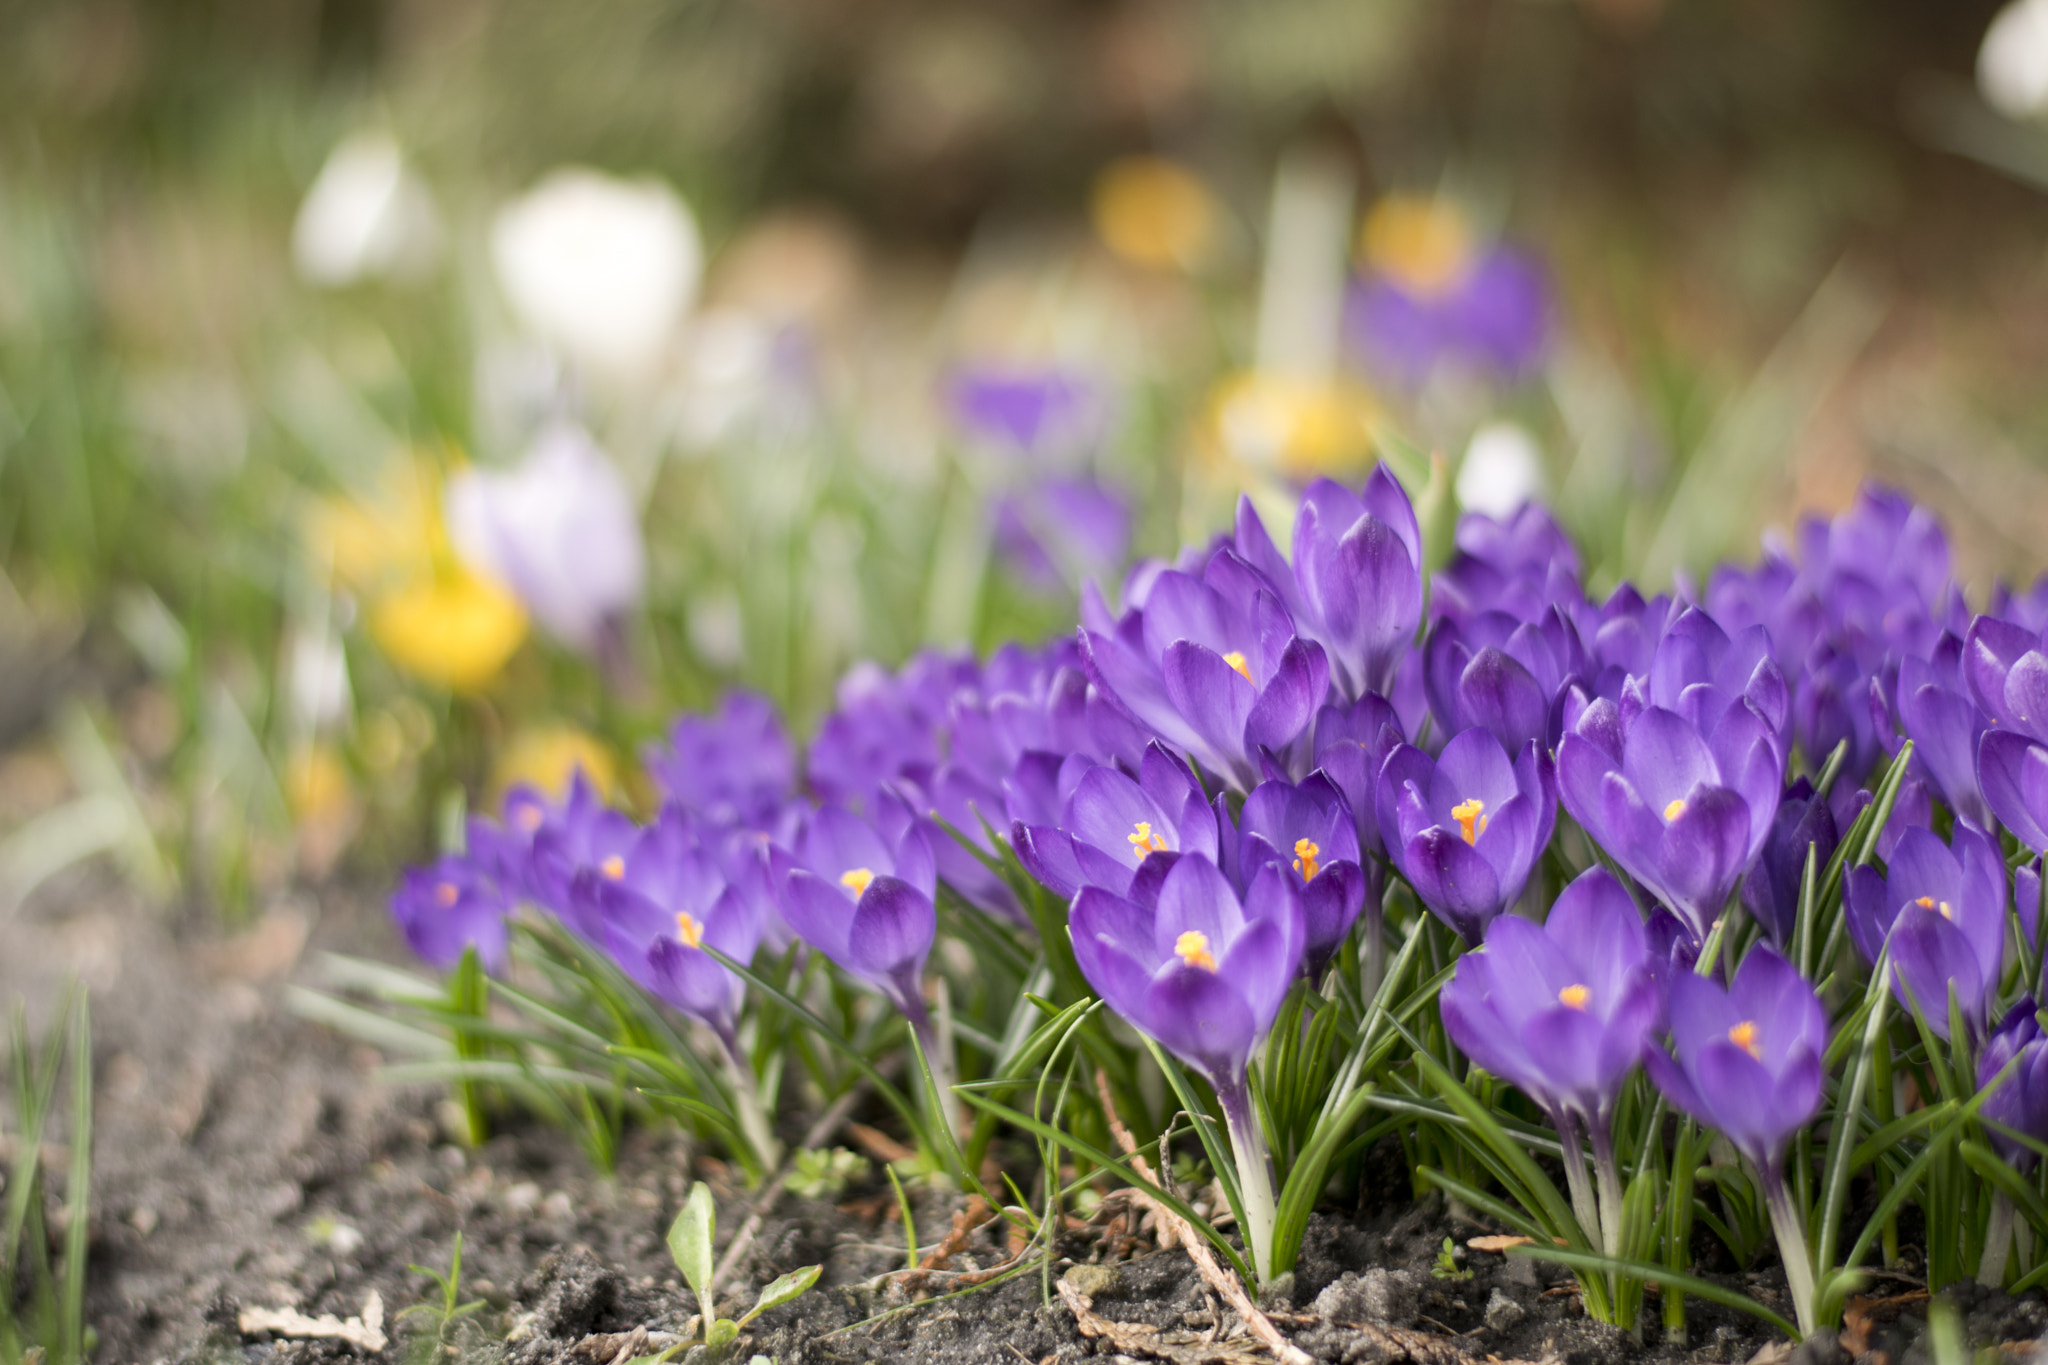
1787	247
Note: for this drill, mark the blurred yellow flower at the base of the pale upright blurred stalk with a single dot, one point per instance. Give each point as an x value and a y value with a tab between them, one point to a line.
1297	429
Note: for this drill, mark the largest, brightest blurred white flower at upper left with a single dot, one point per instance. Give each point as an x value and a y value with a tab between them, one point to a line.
599	267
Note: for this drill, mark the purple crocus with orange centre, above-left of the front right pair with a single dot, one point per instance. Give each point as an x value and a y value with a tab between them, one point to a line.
1467	828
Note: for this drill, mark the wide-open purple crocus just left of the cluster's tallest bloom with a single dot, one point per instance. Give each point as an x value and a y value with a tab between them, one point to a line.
1213	666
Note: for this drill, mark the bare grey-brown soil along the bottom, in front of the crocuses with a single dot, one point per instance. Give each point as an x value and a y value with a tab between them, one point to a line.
249	1159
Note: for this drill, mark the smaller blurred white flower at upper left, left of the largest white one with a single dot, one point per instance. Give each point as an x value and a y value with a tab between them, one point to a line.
366	218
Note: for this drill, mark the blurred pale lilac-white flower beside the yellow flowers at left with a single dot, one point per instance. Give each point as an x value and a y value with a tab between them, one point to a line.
560	531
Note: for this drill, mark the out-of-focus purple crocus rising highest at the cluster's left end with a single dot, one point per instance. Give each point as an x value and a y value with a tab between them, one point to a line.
730	768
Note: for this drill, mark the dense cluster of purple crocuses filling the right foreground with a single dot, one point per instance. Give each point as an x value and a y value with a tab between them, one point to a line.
1226	779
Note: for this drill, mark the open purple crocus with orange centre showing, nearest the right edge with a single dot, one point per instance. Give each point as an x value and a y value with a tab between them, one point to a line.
1943	914
